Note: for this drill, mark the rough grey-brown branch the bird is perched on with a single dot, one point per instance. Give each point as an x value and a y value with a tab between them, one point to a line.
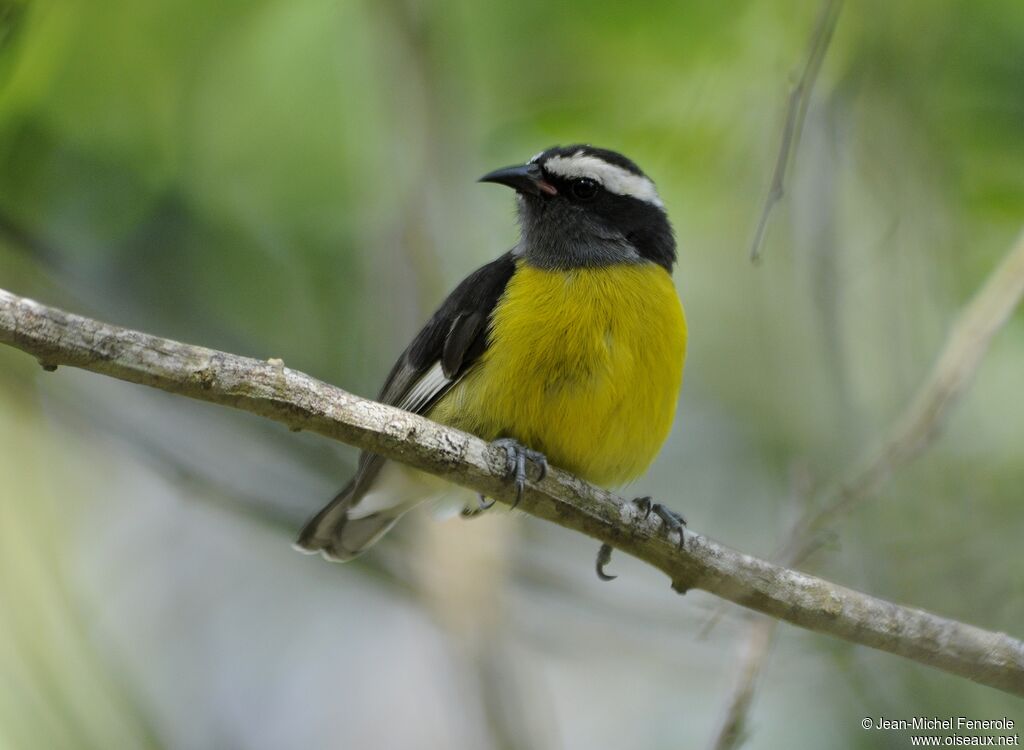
301	402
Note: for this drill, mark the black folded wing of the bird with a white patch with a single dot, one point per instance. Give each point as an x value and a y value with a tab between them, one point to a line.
453	340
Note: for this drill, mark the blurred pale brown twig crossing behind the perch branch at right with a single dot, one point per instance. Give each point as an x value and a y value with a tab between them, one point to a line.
910	436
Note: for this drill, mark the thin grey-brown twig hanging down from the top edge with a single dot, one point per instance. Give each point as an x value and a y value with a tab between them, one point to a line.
796	115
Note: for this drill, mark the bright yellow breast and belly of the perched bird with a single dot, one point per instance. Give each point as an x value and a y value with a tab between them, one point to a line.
584	366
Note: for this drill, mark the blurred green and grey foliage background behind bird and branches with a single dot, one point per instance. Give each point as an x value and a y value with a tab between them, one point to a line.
295	179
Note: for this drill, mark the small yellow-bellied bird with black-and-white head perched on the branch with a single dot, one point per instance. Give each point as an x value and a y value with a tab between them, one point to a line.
568	349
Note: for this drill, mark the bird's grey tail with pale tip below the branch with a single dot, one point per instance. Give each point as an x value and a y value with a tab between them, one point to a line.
340	537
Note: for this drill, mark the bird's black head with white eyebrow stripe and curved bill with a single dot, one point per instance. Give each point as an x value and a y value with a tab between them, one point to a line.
583	207
